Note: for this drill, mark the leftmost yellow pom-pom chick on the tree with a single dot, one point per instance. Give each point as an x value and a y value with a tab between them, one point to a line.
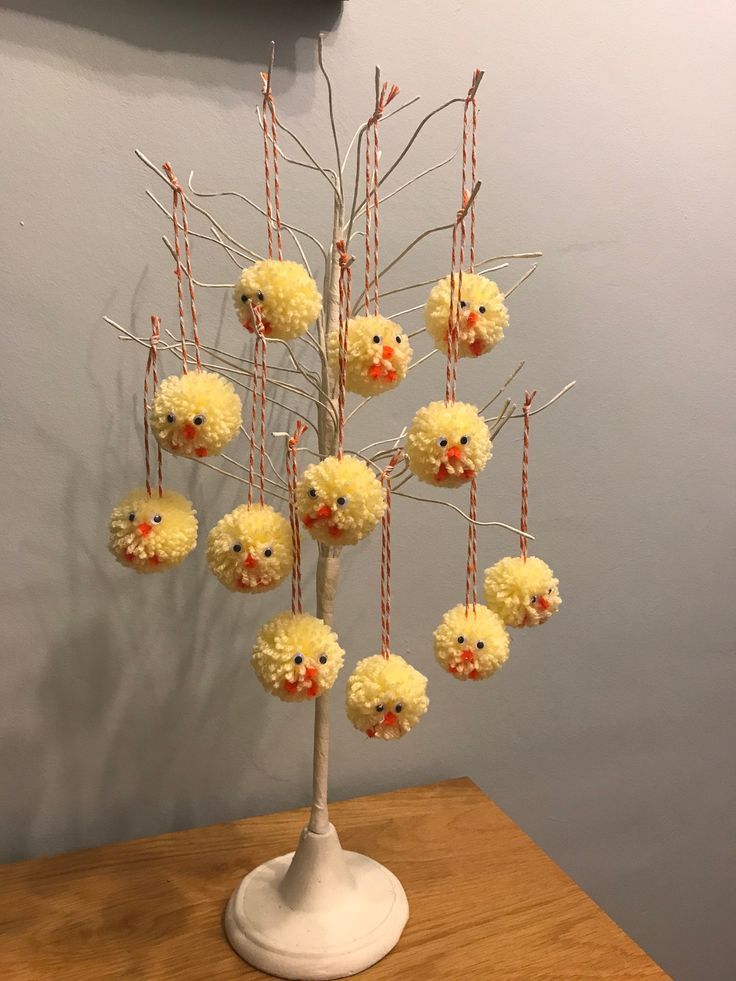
151	534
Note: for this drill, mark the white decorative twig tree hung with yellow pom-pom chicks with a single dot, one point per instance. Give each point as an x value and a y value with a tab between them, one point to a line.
325	913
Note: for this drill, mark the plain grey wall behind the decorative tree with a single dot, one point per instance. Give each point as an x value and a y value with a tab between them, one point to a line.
128	705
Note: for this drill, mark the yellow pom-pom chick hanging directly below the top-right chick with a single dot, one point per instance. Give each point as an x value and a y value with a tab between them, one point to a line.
447	444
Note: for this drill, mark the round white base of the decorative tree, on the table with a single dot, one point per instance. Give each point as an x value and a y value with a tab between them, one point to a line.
317	913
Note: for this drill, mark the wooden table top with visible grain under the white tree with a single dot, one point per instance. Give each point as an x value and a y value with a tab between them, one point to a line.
485	901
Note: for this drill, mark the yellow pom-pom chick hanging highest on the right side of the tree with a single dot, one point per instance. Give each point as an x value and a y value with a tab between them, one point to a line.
483	315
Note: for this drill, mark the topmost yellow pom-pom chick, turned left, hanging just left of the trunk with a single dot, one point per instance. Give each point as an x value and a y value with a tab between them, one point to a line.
283	293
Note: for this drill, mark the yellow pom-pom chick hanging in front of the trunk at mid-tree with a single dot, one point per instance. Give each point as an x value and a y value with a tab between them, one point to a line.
340	501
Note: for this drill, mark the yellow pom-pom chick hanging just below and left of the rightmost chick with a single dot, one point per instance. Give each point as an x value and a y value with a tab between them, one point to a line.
471	643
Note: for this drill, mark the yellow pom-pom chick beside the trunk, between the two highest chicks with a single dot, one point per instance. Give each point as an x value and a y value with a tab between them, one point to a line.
378	355
